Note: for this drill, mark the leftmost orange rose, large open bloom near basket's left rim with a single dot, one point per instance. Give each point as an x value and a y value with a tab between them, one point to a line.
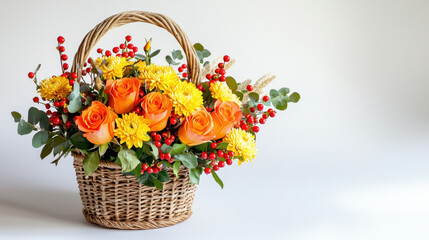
98	122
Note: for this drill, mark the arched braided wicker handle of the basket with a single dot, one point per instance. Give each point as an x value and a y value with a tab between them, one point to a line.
92	37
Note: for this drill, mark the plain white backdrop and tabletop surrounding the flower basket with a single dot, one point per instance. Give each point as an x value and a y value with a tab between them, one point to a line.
349	161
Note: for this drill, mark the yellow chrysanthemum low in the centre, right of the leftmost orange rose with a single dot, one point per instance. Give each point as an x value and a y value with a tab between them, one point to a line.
132	129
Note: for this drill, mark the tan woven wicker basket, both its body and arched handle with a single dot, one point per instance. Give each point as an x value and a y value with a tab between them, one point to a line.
114	200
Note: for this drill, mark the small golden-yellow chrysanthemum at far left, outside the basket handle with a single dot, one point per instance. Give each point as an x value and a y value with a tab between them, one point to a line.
55	88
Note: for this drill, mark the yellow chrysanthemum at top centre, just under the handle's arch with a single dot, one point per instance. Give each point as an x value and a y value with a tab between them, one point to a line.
157	77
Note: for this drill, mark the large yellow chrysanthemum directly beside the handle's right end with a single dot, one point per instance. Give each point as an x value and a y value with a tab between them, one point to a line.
186	98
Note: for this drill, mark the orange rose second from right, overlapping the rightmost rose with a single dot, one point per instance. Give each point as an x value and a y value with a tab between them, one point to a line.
197	128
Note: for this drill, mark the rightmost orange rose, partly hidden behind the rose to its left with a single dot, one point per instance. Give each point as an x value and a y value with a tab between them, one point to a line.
225	115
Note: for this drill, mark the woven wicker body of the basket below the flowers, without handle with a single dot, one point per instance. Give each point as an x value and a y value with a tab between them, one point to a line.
114	200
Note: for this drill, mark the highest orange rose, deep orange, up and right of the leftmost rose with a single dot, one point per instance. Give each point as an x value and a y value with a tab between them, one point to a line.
123	94
